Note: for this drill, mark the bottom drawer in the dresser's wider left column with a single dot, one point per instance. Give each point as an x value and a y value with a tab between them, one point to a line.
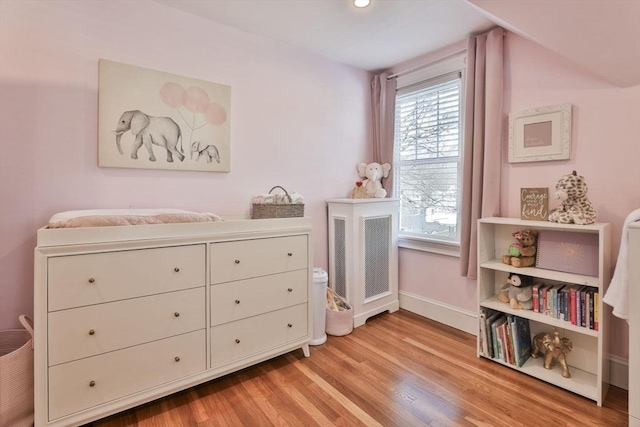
121	373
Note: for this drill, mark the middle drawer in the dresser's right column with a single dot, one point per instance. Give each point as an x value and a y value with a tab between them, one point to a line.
236	300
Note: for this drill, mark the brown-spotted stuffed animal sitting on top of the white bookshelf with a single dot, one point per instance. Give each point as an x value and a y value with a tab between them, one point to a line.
575	207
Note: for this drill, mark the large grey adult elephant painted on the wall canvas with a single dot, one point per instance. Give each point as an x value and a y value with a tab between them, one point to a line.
148	130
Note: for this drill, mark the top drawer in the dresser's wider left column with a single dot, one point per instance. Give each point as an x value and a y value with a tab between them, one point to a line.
81	280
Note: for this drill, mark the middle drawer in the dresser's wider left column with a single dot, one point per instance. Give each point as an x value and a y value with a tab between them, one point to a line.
88	331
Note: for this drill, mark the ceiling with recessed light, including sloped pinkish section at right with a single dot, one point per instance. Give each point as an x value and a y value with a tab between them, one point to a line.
600	35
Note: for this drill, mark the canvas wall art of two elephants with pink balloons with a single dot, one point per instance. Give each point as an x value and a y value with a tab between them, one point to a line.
156	120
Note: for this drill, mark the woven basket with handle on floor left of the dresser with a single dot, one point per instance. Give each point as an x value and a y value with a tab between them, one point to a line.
16	375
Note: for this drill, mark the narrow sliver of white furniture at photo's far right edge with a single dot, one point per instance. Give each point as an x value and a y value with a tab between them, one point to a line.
634	324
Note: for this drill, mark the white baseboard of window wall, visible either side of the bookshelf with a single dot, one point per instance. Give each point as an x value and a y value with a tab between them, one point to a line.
467	321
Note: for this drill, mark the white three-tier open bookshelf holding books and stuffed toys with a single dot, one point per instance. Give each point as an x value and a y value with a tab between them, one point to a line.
588	361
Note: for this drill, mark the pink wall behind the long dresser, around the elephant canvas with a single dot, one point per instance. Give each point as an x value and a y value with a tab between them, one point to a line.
297	121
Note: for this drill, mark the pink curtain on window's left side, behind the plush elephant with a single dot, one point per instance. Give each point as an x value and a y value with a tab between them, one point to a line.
383	105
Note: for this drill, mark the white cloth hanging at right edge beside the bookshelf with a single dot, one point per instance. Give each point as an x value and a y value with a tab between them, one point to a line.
617	295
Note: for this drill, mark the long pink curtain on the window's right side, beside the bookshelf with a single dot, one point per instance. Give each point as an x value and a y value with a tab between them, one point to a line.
482	141
